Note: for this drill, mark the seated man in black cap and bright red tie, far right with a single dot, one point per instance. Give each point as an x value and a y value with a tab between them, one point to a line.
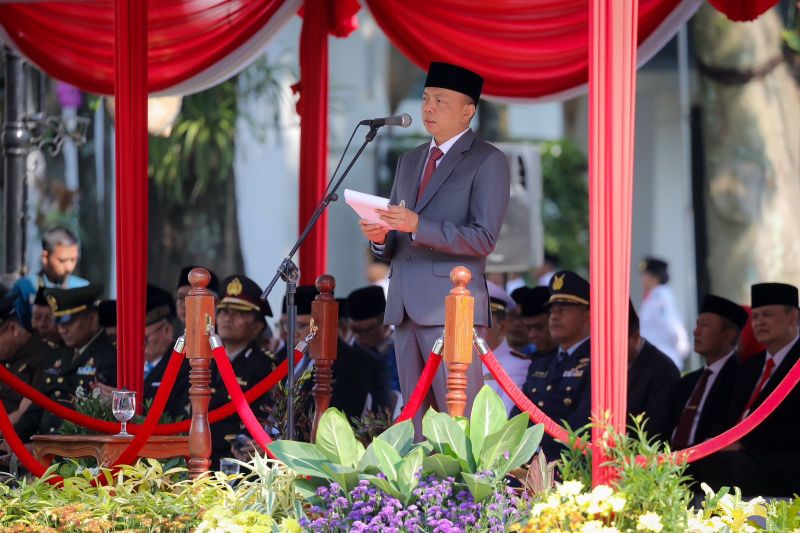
766	461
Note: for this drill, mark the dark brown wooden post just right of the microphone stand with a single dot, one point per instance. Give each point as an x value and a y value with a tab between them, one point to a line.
325	316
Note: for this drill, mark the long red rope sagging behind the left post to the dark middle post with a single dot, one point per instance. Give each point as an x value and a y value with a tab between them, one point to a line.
104	426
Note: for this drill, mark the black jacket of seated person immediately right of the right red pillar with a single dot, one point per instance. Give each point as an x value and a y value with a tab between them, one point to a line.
651	378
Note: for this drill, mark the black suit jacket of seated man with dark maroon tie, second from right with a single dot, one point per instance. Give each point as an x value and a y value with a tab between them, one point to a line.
716	415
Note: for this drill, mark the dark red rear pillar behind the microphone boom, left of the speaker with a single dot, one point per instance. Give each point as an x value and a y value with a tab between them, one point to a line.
313	110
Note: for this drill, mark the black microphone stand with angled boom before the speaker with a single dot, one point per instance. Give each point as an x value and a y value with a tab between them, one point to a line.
289	272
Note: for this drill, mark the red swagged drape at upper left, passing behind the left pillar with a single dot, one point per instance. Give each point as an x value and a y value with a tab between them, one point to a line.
74	41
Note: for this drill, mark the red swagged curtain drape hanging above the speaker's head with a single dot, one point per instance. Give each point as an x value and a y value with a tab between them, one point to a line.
524	49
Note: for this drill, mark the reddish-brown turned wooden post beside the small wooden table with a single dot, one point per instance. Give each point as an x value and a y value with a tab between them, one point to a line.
200	320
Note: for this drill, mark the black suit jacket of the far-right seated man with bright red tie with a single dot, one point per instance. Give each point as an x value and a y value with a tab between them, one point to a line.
773	444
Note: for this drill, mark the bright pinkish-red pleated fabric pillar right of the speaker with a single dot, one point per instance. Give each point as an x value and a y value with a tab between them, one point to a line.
612	92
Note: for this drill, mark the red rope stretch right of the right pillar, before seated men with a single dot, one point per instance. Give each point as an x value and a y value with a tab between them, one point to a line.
737	432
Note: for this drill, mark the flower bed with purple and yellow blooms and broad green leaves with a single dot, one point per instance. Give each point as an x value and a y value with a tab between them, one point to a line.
471	475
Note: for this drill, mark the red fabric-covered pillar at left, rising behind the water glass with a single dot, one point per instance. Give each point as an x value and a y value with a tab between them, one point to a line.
130	93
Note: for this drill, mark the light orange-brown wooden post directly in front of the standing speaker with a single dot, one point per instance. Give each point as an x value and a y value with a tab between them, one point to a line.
459	308
